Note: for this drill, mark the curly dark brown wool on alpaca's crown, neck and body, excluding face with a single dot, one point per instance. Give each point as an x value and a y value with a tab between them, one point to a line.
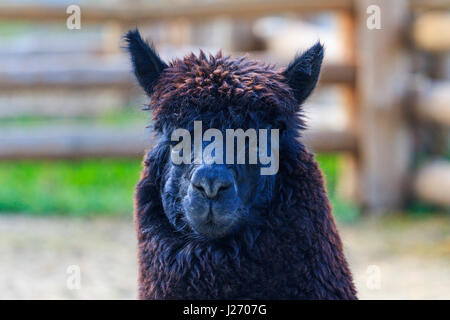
295	253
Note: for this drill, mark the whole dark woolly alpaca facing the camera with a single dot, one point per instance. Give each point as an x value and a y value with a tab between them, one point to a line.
271	237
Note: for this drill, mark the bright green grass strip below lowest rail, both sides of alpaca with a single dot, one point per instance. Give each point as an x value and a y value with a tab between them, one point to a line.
100	187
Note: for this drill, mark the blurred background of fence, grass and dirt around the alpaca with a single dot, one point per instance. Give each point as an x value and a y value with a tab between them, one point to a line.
72	133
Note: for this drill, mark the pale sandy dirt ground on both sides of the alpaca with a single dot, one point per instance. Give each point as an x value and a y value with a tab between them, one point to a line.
393	258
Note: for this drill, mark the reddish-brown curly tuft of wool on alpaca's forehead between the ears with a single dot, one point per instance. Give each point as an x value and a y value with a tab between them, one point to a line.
198	86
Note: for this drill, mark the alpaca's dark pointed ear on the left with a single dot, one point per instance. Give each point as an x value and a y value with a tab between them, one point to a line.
147	65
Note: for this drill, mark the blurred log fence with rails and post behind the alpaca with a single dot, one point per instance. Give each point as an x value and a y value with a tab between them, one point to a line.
382	100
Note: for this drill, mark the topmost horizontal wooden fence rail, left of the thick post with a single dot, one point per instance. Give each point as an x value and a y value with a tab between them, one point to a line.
130	15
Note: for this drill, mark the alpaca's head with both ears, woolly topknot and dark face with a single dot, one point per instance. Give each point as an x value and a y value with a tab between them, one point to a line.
215	194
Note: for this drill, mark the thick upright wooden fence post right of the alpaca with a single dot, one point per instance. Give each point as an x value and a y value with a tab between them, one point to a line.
382	80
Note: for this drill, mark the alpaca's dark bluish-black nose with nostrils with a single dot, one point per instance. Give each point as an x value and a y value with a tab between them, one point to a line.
212	180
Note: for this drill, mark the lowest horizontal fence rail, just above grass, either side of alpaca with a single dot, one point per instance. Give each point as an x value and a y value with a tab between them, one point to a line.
77	141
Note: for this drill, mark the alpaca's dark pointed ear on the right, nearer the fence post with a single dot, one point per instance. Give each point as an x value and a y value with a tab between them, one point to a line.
303	72
